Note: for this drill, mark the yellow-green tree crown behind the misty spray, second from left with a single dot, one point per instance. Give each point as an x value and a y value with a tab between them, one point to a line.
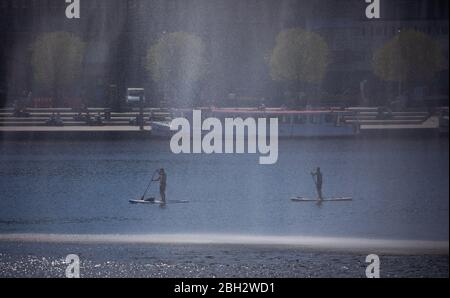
178	63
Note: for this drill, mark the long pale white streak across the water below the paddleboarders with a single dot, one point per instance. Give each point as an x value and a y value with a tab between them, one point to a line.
401	247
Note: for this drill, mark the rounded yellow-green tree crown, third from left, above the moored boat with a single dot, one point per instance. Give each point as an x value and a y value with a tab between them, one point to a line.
299	56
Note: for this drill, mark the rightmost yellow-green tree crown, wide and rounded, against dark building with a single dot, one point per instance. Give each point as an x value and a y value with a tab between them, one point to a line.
410	56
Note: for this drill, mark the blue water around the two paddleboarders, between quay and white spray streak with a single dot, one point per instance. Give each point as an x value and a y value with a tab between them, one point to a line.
400	189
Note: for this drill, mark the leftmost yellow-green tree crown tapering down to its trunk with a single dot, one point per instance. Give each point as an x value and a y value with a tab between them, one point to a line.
56	60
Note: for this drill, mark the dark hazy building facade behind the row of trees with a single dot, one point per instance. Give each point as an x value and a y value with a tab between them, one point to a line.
239	35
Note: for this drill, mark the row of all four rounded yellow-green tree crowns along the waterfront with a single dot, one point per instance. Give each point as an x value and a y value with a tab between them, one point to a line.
178	62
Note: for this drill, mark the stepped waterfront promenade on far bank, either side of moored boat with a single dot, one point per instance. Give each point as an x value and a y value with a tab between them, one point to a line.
35	122
